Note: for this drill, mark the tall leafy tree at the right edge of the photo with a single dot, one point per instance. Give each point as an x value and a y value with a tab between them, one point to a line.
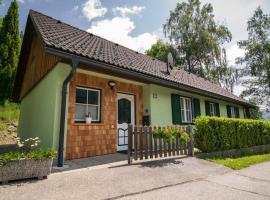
257	57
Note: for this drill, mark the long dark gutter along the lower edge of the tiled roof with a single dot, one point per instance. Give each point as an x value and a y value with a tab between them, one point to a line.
144	77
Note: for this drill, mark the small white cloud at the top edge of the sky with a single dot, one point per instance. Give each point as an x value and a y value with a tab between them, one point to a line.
92	9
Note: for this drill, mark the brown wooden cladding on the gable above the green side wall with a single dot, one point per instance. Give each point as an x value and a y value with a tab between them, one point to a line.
38	65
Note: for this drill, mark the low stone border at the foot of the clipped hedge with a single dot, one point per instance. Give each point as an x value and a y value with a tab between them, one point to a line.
235	152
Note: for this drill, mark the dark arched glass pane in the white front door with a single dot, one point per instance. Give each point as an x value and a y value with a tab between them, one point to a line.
124	111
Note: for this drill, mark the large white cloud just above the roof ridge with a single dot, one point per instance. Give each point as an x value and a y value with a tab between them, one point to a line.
118	29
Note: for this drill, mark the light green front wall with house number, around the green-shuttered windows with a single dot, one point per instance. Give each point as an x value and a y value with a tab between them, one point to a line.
157	100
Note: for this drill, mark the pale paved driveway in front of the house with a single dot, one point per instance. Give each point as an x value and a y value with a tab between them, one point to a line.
175	179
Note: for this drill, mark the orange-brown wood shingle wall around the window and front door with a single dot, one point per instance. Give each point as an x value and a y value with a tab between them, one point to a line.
84	140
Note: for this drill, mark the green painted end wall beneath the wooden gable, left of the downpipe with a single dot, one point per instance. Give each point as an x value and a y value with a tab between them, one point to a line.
40	109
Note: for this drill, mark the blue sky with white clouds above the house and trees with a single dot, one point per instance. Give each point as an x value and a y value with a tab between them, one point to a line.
137	24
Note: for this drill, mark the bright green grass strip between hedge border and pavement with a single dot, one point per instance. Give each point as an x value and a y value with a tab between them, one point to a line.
242	161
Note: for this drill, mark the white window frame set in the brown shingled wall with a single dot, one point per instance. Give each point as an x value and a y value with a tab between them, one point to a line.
89	89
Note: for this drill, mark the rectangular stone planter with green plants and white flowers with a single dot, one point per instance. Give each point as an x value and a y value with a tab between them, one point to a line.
27	161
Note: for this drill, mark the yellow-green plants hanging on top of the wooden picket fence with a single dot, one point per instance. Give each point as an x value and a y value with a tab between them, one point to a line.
171	134
